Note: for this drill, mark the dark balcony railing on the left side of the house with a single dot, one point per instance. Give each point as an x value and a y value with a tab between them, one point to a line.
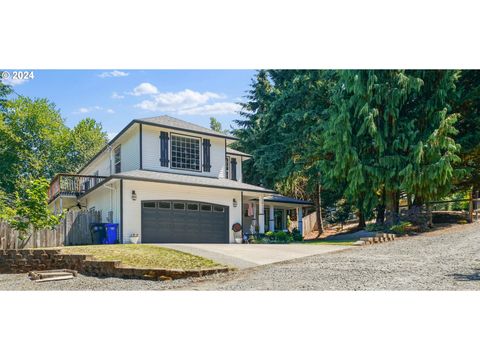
72	185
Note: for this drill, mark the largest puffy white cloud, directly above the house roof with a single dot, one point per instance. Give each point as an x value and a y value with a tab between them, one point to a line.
178	101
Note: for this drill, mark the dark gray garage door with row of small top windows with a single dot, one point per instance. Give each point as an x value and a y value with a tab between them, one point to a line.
184	222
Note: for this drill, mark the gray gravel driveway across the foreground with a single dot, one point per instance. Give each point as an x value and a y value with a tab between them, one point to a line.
447	259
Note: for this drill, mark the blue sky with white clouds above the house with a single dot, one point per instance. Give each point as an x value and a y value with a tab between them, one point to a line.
115	97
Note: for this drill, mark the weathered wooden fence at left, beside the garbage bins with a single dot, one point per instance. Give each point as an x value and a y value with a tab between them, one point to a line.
73	230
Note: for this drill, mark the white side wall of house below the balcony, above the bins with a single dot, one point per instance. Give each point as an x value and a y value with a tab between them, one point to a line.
105	198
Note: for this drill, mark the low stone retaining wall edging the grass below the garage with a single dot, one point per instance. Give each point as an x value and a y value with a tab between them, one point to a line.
23	261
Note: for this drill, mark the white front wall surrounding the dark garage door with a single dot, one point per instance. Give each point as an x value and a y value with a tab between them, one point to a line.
160	191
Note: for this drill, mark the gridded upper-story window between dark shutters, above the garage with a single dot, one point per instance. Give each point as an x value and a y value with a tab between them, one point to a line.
185	153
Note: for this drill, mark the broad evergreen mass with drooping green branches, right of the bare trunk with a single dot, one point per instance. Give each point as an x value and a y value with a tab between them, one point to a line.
391	131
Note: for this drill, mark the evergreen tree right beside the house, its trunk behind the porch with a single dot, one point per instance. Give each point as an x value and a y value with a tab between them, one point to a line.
285	132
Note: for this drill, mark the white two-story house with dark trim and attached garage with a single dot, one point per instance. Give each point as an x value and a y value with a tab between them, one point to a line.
171	181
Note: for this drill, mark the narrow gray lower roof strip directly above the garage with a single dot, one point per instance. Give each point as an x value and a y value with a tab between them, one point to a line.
165	177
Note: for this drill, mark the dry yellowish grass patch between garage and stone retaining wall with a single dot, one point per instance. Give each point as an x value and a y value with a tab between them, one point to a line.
143	256
